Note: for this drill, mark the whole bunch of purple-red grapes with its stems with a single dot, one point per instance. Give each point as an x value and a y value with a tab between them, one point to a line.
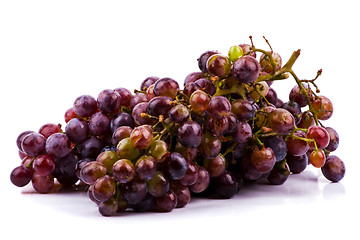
155	148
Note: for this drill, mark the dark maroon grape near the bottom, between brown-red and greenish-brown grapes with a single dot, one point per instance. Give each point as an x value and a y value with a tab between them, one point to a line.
133	192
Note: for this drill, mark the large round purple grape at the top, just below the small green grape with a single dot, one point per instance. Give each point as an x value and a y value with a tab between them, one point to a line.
246	69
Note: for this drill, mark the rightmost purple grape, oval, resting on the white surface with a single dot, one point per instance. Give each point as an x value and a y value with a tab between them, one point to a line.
334	168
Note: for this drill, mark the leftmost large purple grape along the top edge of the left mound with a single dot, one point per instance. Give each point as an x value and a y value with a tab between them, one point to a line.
85	106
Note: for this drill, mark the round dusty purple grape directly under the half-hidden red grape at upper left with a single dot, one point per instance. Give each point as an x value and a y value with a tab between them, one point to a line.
77	130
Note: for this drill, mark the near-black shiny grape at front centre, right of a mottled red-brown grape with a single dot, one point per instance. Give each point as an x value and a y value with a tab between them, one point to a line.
175	166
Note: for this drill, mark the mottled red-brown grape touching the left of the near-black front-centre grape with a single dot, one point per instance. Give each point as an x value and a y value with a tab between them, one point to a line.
145	167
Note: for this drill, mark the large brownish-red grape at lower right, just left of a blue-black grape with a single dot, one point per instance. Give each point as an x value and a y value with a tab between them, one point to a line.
263	160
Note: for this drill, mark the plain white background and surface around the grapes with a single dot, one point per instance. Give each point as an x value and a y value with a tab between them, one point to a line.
53	51
